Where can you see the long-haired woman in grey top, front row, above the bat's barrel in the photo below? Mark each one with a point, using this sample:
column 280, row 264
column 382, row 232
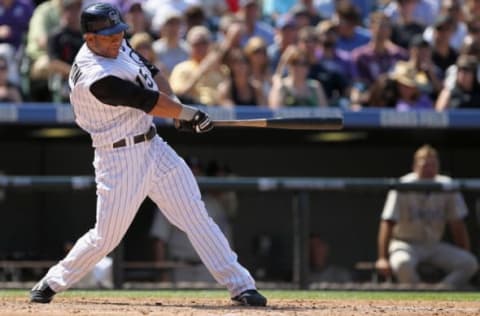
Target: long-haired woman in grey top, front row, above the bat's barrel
column 296, row 89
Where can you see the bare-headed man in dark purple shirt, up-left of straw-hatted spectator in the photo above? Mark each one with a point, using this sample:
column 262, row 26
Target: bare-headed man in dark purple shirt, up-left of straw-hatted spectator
column 375, row 58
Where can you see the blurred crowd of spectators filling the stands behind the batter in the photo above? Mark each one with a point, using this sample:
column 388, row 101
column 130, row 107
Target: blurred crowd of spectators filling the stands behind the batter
column 401, row 54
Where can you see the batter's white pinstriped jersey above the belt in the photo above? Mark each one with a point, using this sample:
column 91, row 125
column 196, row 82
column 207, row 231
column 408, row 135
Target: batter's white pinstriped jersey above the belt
column 105, row 123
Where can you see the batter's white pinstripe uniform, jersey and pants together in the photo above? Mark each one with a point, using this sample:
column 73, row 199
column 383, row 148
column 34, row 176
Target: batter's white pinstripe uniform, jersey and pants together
column 126, row 176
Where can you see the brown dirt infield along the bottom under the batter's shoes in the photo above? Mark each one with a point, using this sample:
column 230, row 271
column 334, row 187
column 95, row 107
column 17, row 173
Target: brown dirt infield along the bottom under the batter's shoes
column 202, row 307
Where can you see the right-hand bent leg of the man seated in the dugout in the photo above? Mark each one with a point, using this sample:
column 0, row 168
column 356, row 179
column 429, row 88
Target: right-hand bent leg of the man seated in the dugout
column 459, row 264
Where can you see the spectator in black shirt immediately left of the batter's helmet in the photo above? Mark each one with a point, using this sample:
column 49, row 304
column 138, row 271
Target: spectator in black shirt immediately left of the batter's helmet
column 63, row 44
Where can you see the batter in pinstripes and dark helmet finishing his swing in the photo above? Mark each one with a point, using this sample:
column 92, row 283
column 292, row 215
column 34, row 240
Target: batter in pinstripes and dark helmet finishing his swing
column 115, row 94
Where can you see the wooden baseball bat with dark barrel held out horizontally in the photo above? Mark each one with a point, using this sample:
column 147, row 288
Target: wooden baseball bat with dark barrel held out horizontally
column 304, row 123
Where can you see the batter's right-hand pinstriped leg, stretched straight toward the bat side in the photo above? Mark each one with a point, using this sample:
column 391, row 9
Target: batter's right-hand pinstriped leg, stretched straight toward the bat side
column 176, row 193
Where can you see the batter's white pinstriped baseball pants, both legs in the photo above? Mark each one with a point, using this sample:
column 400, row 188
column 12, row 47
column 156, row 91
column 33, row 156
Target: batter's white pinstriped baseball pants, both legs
column 125, row 177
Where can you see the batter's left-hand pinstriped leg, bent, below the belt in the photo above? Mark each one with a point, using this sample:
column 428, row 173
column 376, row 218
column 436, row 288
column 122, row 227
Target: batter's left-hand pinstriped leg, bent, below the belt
column 120, row 176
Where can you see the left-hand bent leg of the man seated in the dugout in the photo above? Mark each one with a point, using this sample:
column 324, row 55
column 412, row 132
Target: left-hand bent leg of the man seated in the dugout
column 403, row 261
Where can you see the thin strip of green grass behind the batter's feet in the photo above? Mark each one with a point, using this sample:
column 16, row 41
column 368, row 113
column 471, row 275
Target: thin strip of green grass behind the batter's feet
column 271, row 294
